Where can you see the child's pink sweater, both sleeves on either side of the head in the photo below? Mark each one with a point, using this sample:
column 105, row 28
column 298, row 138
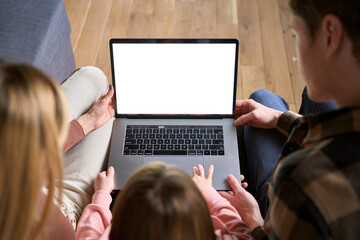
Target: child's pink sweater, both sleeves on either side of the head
column 95, row 220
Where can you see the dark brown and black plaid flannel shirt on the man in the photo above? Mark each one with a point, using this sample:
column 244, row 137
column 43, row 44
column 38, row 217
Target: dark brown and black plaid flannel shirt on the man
column 315, row 188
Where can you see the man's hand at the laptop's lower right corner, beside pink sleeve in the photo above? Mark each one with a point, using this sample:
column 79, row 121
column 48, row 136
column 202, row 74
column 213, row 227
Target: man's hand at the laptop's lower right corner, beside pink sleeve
column 244, row 203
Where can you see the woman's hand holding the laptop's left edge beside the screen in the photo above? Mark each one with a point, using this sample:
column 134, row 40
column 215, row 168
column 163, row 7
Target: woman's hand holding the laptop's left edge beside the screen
column 101, row 112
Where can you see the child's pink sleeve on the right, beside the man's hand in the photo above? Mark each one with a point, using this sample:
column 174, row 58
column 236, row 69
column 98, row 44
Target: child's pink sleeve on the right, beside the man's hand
column 226, row 220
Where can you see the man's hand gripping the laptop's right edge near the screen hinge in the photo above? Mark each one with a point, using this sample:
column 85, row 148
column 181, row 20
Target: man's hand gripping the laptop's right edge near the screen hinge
column 253, row 114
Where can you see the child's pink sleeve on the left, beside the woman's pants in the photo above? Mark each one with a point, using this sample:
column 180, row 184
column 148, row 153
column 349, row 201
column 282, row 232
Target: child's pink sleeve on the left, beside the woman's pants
column 96, row 217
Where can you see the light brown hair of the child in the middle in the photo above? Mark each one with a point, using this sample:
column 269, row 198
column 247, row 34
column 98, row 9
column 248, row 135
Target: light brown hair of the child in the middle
column 161, row 202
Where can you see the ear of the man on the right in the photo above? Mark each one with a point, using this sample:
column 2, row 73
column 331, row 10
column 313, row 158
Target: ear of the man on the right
column 334, row 32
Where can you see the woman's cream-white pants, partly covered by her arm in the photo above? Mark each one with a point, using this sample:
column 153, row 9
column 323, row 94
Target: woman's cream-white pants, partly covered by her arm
column 84, row 161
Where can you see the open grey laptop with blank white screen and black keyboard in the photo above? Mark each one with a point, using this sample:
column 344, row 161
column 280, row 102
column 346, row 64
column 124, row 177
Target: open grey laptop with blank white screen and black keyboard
column 174, row 102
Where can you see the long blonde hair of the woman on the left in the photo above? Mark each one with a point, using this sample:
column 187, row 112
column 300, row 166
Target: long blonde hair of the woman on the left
column 33, row 126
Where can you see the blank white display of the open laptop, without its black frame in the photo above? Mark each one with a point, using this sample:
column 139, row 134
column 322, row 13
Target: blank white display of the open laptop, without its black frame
column 174, row 78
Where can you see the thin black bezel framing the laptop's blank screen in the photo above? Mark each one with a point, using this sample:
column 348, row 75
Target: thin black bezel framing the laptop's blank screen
column 181, row 41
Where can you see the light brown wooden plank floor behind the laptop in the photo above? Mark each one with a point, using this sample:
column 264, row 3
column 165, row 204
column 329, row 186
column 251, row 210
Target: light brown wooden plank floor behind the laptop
column 262, row 27
